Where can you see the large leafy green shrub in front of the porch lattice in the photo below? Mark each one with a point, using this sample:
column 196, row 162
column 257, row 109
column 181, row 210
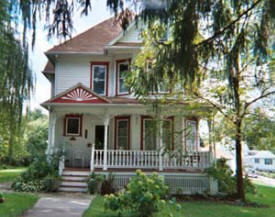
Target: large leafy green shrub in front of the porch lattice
column 143, row 195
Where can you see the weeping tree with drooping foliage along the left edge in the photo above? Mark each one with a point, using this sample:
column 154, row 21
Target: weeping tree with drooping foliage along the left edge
column 15, row 79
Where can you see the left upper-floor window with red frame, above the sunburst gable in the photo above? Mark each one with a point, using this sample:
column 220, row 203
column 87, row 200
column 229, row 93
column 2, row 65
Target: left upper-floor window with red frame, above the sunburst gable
column 99, row 78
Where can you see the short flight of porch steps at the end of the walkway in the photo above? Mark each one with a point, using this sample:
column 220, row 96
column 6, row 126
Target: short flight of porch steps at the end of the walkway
column 74, row 181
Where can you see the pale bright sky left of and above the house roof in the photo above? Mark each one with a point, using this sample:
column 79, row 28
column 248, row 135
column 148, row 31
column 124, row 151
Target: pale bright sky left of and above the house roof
column 38, row 59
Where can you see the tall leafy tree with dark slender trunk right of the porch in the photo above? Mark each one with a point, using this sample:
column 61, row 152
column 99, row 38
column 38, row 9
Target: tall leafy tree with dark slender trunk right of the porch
column 233, row 63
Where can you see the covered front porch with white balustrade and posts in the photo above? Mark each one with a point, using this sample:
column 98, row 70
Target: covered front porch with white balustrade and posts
column 116, row 140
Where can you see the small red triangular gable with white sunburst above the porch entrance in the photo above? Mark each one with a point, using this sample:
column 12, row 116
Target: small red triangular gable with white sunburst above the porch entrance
column 77, row 94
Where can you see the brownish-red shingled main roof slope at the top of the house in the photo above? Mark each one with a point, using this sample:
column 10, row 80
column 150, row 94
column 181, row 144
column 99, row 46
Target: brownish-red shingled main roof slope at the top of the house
column 91, row 41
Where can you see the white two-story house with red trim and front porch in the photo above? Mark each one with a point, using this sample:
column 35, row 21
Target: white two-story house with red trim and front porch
column 103, row 127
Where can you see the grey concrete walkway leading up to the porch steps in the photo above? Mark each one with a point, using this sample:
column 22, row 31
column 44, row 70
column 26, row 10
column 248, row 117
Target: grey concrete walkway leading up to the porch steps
column 60, row 205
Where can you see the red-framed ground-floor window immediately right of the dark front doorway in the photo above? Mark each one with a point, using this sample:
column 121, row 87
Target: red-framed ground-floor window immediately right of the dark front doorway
column 122, row 134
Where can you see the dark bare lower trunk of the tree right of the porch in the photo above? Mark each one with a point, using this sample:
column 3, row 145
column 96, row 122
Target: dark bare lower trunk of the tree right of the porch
column 239, row 166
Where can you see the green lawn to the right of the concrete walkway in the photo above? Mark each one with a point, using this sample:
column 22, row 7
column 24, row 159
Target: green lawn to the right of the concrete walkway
column 266, row 196
